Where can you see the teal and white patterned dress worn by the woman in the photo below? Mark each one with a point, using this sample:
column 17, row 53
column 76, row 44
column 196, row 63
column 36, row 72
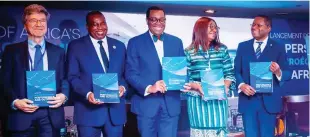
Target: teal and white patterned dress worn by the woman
column 208, row 118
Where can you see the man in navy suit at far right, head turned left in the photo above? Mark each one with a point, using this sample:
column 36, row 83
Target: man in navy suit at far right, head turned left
column 259, row 110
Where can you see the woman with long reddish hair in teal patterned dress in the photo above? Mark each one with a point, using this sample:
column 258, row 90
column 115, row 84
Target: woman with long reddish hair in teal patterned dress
column 208, row 118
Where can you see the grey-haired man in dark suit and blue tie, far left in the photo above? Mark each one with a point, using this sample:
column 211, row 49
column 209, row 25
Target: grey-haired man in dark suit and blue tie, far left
column 34, row 54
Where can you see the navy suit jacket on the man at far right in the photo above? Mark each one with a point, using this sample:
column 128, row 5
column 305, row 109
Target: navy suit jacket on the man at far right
column 246, row 54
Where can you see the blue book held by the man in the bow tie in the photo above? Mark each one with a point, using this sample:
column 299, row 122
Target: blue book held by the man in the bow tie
column 174, row 72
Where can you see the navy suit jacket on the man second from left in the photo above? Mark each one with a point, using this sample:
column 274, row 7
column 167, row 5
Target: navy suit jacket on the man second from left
column 82, row 62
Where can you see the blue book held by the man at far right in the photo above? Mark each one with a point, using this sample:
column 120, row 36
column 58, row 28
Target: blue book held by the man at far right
column 261, row 77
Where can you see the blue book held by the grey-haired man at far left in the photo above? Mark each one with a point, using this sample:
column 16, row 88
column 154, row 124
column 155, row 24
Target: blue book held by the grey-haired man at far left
column 41, row 85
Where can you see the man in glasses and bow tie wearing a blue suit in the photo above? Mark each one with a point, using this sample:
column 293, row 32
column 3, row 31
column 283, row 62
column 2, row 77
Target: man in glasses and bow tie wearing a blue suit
column 157, row 109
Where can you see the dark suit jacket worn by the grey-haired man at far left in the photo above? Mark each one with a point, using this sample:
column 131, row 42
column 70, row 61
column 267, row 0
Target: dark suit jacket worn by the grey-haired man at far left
column 14, row 67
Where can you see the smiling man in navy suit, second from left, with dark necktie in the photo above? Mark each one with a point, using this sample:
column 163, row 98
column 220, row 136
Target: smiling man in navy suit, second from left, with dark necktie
column 96, row 53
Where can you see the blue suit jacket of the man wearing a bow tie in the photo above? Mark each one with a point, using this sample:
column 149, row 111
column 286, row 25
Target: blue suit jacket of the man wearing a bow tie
column 144, row 68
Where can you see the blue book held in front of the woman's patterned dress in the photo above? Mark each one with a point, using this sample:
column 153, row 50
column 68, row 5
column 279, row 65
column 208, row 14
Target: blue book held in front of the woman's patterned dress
column 212, row 82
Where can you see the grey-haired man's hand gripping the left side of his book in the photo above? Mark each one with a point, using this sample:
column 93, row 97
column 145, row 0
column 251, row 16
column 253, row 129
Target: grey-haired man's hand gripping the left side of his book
column 25, row 105
